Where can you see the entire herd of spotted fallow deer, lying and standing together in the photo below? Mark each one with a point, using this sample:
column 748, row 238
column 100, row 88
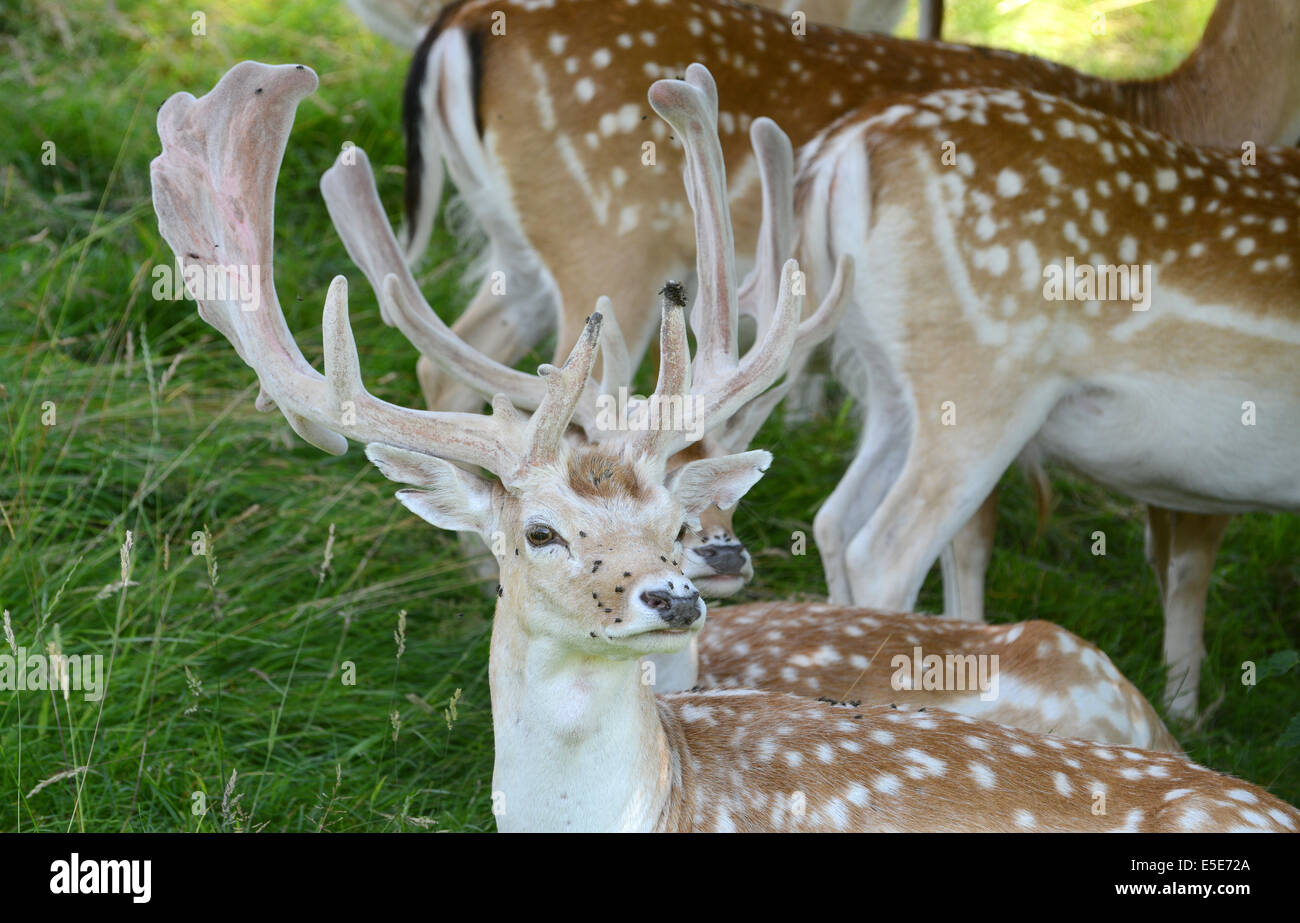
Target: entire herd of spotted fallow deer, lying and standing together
column 928, row 192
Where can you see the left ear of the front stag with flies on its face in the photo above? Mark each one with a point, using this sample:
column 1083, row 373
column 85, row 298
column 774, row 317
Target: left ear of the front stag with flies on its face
column 453, row 499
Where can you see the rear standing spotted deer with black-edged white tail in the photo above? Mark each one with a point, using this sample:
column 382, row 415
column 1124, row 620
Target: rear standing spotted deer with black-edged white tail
column 586, row 63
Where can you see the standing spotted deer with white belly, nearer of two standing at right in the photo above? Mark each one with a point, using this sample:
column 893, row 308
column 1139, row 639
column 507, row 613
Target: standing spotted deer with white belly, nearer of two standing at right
column 1169, row 376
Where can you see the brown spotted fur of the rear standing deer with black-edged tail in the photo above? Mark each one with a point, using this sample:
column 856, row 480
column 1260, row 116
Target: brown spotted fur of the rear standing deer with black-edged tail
column 837, row 72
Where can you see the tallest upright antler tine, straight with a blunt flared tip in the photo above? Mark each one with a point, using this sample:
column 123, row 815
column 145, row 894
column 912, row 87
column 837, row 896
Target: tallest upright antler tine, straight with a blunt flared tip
column 691, row 109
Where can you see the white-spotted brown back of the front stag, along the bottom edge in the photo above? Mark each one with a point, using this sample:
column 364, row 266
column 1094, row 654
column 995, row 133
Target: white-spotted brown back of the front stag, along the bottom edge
column 748, row 762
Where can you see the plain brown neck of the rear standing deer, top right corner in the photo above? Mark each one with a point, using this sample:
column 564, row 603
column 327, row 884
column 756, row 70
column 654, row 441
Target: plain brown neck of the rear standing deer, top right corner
column 1227, row 92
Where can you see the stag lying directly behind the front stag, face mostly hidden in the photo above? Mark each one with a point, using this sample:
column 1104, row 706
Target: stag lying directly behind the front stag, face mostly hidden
column 801, row 649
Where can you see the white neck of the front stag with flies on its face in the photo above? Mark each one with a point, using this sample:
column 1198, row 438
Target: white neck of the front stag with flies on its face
column 579, row 743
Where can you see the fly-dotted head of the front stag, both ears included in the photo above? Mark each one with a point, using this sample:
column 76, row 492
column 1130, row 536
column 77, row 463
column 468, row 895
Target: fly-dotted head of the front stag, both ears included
column 588, row 536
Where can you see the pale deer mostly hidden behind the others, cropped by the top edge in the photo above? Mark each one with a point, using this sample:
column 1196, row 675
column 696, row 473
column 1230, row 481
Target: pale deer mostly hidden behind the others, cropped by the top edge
column 405, row 21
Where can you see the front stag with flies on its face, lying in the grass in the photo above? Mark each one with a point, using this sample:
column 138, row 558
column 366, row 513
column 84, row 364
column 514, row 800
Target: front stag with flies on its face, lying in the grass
column 580, row 743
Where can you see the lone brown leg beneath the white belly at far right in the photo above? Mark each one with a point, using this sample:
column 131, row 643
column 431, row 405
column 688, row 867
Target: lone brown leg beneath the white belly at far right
column 1194, row 541
